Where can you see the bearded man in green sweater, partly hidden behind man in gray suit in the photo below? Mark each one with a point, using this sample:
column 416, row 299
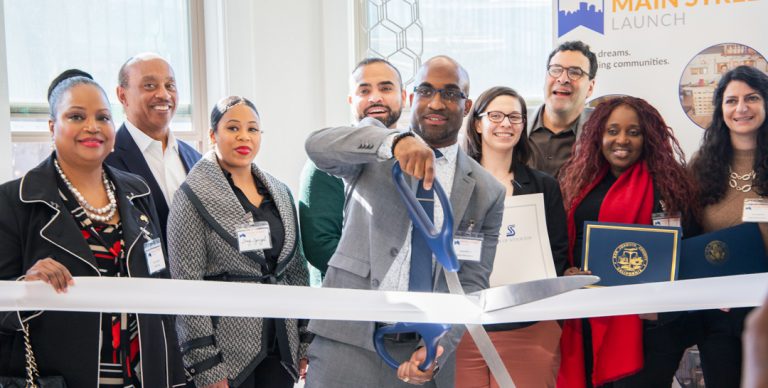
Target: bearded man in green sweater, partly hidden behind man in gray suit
column 376, row 90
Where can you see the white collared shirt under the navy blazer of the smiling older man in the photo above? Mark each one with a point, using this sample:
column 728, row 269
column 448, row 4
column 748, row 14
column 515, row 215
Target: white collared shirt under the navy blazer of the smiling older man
column 166, row 167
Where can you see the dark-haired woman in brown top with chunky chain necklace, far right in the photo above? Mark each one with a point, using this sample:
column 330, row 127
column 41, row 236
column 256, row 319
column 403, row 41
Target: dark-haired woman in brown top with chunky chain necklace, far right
column 732, row 164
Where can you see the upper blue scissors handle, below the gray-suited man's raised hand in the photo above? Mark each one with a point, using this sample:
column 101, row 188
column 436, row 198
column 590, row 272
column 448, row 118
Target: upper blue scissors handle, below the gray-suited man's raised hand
column 441, row 242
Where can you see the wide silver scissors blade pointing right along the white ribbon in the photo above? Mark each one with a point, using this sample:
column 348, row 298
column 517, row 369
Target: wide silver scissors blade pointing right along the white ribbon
column 511, row 295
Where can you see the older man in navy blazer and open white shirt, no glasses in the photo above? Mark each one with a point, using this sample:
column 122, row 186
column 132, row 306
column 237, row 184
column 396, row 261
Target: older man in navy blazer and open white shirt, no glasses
column 144, row 144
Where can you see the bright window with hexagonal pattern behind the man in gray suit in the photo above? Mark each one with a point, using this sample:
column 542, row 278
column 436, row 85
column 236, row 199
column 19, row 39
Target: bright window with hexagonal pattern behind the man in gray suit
column 499, row 42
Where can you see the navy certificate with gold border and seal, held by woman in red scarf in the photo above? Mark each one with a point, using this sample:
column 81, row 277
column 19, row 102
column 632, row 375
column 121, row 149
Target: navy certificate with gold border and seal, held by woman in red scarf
column 631, row 254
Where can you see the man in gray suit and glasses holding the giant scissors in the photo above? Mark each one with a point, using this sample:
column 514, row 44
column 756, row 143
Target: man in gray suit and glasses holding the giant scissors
column 375, row 247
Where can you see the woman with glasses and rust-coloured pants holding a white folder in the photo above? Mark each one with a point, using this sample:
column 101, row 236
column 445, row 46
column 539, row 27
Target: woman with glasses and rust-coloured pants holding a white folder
column 496, row 138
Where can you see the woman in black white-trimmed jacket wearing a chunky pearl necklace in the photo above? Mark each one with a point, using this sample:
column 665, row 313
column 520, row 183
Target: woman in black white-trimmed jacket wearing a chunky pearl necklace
column 74, row 216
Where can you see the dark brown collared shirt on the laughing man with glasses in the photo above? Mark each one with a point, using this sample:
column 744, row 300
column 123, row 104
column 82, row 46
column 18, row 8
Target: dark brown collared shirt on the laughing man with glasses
column 549, row 150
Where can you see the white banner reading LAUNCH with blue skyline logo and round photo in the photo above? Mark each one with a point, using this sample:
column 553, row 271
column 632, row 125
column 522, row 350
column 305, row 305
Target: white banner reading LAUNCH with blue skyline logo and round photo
column 670, row 52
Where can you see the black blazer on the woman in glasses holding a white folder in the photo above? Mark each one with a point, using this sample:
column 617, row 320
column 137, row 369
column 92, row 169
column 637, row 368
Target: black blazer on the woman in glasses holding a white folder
column 530, row 181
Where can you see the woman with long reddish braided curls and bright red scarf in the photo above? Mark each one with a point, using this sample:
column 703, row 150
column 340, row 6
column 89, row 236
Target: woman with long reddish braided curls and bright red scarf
column 626, row 166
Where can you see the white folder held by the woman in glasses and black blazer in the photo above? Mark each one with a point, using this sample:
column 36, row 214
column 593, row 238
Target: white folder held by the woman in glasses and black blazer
column 523, row 253
